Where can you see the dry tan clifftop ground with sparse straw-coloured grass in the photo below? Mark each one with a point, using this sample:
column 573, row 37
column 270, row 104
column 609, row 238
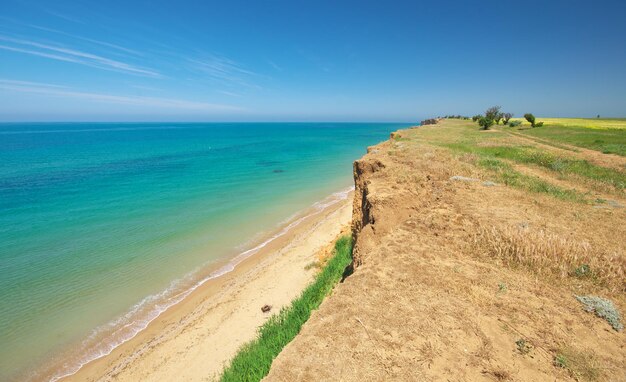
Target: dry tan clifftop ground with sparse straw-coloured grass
column 424, row 305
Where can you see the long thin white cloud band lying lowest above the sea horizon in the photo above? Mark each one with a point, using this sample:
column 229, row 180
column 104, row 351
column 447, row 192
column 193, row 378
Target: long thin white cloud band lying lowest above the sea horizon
column 61, row 91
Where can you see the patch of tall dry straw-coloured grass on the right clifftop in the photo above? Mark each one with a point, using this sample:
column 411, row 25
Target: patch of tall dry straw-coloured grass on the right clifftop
column 551, row 255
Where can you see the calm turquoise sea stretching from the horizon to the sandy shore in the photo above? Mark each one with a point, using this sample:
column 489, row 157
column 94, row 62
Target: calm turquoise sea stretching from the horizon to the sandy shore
column 103, row 225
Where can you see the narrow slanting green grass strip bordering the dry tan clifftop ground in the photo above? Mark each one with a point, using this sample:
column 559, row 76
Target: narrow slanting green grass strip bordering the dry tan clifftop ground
column 505, row 173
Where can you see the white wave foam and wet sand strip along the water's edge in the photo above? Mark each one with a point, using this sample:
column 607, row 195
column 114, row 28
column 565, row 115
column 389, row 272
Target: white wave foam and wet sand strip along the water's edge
column 127, row 326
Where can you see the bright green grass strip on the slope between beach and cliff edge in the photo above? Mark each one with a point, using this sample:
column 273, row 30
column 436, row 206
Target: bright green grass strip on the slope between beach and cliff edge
column 253, row 361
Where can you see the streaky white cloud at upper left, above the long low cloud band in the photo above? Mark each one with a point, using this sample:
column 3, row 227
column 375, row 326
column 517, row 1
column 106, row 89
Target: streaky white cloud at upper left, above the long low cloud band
column 61, row 53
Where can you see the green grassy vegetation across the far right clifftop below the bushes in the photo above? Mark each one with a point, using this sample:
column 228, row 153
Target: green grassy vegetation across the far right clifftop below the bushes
column 495, row 152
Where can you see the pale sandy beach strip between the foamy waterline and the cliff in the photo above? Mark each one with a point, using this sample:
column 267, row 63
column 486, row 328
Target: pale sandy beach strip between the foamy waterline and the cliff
column 193, row 340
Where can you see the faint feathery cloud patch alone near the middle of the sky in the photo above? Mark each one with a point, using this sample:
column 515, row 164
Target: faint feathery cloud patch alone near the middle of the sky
column 224, row 70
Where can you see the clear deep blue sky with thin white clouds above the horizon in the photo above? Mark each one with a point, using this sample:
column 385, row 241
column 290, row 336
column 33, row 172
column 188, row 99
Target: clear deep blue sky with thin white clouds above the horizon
column 308, row 60
